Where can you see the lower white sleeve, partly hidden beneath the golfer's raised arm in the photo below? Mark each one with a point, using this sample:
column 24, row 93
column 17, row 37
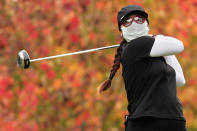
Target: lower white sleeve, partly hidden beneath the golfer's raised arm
column 173, row 62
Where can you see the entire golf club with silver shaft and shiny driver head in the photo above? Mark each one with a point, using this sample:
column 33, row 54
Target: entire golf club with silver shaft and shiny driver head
column 23, row 59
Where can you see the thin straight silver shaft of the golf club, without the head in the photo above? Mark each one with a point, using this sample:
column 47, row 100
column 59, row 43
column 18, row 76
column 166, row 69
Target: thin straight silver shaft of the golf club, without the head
column 74, row 53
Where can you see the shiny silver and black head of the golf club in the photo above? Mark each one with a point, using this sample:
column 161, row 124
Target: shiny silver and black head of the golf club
column 23, row 60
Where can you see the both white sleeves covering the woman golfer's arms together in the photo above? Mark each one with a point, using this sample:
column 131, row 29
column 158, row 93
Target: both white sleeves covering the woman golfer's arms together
column 168, row 46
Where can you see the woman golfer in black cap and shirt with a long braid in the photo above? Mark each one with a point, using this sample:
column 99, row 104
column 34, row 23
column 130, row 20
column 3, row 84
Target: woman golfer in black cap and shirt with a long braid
column 151, row 74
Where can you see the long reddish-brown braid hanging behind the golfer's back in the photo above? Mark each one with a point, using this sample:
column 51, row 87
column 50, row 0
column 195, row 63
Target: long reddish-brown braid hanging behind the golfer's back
column 106, row 84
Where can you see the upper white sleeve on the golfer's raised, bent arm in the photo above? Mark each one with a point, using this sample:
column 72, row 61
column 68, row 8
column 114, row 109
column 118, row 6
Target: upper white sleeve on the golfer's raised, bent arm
column 165, row 45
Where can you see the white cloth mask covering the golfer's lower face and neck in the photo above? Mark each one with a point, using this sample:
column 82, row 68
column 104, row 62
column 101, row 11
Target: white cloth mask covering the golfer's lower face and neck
column 134, row 31
